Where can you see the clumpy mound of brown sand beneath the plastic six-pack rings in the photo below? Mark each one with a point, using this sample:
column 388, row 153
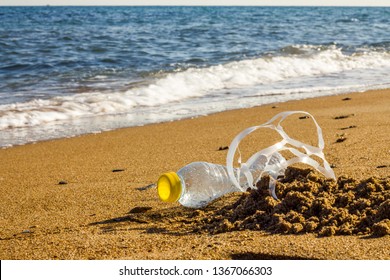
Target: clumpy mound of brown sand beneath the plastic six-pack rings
column 309, row 203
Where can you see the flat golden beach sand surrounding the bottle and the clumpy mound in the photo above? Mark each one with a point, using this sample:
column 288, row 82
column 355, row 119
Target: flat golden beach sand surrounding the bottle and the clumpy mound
column 79, row 198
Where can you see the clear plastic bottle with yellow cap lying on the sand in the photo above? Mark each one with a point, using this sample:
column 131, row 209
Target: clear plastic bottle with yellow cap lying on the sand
column 198, row 183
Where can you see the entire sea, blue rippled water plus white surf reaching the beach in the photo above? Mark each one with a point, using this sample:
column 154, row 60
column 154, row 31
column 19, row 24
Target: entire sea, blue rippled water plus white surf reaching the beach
column 67, row 71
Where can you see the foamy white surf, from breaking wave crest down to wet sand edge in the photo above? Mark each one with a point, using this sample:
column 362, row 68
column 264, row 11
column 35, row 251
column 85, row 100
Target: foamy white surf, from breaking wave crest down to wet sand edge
column 297, row 72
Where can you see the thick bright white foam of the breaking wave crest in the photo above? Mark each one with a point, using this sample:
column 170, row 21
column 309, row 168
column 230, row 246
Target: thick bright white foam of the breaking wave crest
column 262, row 74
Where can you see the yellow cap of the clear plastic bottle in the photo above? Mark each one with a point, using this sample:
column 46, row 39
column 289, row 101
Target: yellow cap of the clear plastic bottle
column 169, row 187
